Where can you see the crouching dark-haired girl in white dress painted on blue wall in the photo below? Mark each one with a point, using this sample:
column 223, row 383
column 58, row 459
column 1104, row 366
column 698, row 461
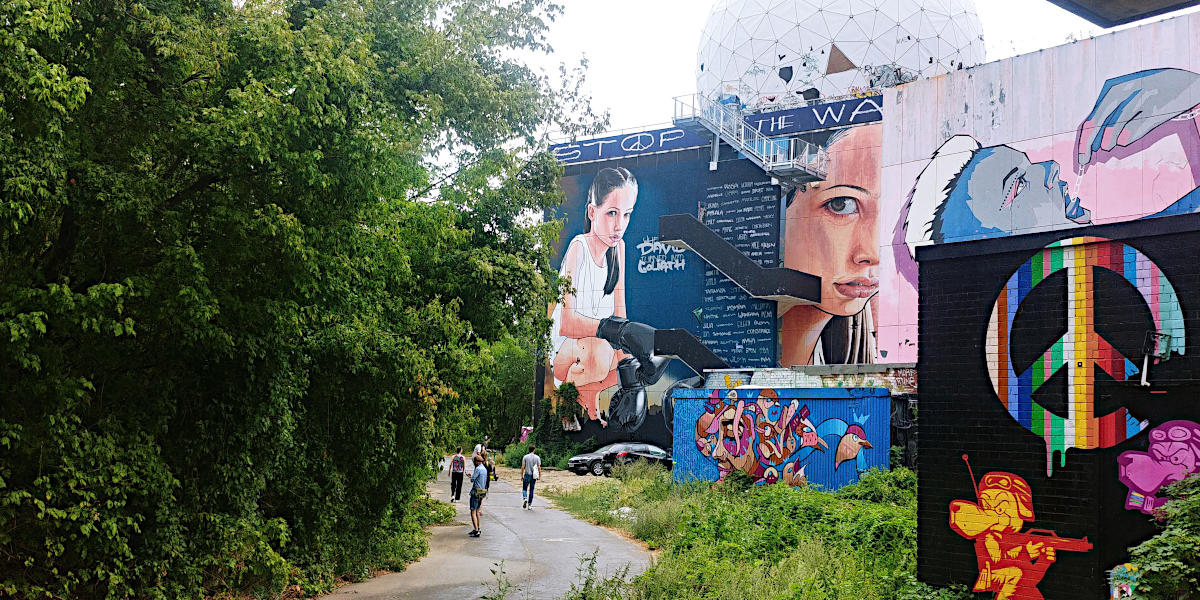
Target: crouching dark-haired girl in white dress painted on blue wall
column 593, row 266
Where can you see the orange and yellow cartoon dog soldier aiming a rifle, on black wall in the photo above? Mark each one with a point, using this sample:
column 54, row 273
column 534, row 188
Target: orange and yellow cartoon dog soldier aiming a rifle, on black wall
column 1012, row 563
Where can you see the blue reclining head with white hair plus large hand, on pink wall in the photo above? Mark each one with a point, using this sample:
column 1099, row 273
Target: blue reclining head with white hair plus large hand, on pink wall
column 969, row 191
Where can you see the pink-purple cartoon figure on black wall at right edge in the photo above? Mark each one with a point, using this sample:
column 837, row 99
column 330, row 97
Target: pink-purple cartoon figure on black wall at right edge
column 1174, row 454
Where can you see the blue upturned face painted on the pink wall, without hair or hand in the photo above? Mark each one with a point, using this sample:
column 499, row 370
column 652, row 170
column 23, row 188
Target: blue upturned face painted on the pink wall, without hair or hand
column 1006, row 191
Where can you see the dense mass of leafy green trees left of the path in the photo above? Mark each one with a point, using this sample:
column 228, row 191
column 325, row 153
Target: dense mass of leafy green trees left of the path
column 241, row 305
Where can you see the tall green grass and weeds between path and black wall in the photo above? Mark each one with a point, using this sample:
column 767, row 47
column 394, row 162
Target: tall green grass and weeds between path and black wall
column 737, row 542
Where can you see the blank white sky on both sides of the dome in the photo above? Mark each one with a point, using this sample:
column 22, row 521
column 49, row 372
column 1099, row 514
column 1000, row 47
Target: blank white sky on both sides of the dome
column 643, row 53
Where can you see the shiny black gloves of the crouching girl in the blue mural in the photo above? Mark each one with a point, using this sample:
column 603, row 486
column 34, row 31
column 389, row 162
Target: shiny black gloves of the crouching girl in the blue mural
column 637, row 373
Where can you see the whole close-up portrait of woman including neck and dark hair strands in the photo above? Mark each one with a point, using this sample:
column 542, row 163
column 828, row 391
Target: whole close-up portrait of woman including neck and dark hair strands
column 832, row 231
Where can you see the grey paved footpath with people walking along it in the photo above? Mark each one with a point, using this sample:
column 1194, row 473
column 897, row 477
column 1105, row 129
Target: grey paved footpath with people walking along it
column 541, row 550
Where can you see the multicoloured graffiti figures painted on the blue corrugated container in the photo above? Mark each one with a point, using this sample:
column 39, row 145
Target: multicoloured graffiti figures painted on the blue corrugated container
column 770, row 439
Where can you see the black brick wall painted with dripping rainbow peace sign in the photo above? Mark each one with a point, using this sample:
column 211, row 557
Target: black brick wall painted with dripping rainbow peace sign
column 967, row 347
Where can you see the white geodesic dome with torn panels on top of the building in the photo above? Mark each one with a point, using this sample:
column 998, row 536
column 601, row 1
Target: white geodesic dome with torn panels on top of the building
column 769, row 52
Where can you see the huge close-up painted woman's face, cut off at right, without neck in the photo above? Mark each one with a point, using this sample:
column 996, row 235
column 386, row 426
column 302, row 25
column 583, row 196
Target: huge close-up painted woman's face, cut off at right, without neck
column 832, row 227
